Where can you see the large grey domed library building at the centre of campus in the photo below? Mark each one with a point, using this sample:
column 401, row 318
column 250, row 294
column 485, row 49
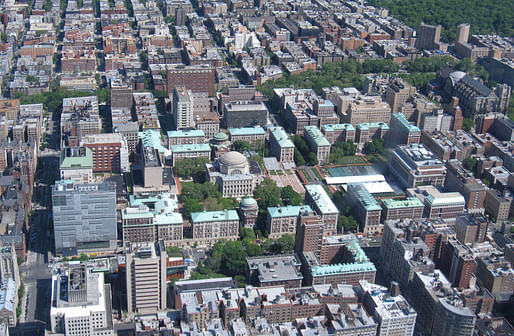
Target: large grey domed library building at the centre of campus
column 231, row 172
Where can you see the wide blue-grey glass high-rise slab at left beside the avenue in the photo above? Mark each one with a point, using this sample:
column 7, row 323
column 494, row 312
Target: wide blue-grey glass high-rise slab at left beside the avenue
column 84, row 216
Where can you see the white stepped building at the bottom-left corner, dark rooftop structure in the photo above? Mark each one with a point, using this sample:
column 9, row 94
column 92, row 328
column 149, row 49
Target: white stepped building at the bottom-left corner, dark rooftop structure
column 81, row 302
